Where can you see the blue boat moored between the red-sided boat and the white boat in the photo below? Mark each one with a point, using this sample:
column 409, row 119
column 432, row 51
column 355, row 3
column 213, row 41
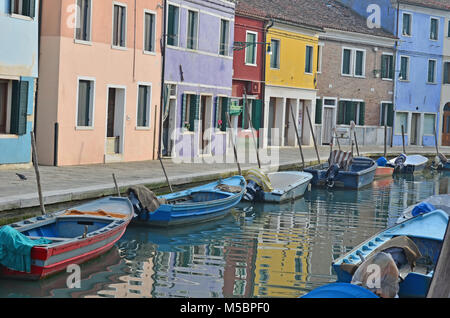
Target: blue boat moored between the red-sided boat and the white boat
column 200, row 204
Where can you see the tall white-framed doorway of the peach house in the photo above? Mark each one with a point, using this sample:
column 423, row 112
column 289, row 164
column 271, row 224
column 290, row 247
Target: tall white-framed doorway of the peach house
column 115, row 121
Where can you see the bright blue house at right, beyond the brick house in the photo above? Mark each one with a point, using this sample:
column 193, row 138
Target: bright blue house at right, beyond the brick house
column 419, row 25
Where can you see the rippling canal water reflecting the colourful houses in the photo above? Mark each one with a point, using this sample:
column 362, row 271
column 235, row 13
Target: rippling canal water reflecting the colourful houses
column 257, row 251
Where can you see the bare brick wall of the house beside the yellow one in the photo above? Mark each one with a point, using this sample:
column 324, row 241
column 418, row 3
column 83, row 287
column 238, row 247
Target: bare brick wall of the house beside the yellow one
column 370, row 89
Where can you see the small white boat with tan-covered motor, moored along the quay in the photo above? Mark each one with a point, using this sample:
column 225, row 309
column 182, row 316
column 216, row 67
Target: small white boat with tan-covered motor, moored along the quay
column 276, row 187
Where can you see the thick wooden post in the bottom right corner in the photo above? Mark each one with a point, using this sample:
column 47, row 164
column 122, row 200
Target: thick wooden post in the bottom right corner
column 440, row 284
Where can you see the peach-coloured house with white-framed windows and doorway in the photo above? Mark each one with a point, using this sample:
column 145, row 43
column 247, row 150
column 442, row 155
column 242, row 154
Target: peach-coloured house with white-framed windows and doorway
column 100, row 82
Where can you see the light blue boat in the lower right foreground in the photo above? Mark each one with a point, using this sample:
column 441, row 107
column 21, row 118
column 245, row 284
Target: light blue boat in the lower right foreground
column 424, row 233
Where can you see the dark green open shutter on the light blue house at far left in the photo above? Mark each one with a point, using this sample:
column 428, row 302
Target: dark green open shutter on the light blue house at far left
column 19, row 108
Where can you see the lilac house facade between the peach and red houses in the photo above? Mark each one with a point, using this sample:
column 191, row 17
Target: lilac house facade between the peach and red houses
column 198, row 77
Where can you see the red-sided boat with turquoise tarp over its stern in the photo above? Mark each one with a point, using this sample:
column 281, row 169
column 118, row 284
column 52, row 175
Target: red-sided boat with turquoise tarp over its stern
column 45, row 245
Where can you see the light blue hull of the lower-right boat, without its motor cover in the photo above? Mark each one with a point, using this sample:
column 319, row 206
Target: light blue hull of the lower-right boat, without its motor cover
column 426, row 231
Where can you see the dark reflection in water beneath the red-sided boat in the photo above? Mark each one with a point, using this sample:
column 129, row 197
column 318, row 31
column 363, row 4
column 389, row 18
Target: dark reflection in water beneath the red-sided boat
column 98, row 272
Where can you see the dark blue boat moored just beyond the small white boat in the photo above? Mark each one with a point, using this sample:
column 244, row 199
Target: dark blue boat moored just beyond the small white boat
column 359, row 173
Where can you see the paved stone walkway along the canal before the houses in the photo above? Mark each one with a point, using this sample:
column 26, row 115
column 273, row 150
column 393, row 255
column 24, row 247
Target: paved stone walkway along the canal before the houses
column 65, row 184
